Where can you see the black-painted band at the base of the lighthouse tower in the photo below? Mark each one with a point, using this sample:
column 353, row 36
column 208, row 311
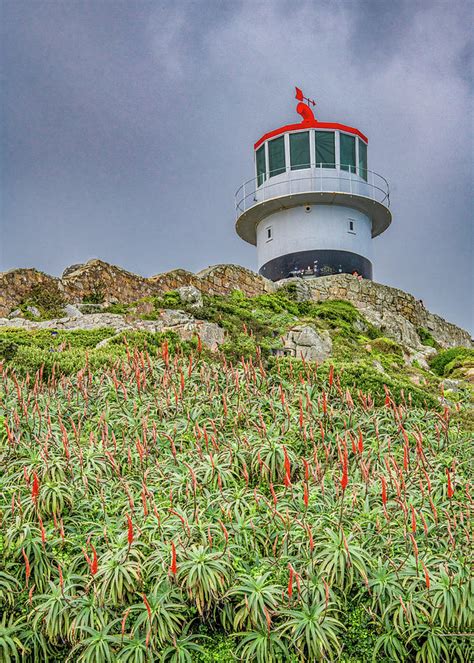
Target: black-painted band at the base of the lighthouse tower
column 318, row 262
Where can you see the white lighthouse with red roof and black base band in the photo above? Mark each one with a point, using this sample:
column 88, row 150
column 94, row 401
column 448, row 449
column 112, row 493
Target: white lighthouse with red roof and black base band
column 313, row 205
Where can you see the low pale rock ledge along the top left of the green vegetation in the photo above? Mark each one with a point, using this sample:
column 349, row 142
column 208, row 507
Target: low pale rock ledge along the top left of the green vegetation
column 184, row 325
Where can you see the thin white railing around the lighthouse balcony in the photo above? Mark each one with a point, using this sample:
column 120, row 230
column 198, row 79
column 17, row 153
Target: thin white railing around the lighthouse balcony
column 309, row 180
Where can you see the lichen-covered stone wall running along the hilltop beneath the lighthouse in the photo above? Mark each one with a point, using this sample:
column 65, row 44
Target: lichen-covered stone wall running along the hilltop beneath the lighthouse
column 399, row 315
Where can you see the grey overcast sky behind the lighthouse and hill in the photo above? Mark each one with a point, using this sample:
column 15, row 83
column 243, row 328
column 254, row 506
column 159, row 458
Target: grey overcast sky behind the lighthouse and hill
column 127, row 126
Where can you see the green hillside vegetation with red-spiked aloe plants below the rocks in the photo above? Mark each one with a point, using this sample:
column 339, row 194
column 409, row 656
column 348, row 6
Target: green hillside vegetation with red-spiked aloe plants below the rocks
column 162, row 503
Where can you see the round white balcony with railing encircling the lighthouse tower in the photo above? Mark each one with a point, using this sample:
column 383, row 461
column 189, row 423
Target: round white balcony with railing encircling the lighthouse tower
column 257, row 199
